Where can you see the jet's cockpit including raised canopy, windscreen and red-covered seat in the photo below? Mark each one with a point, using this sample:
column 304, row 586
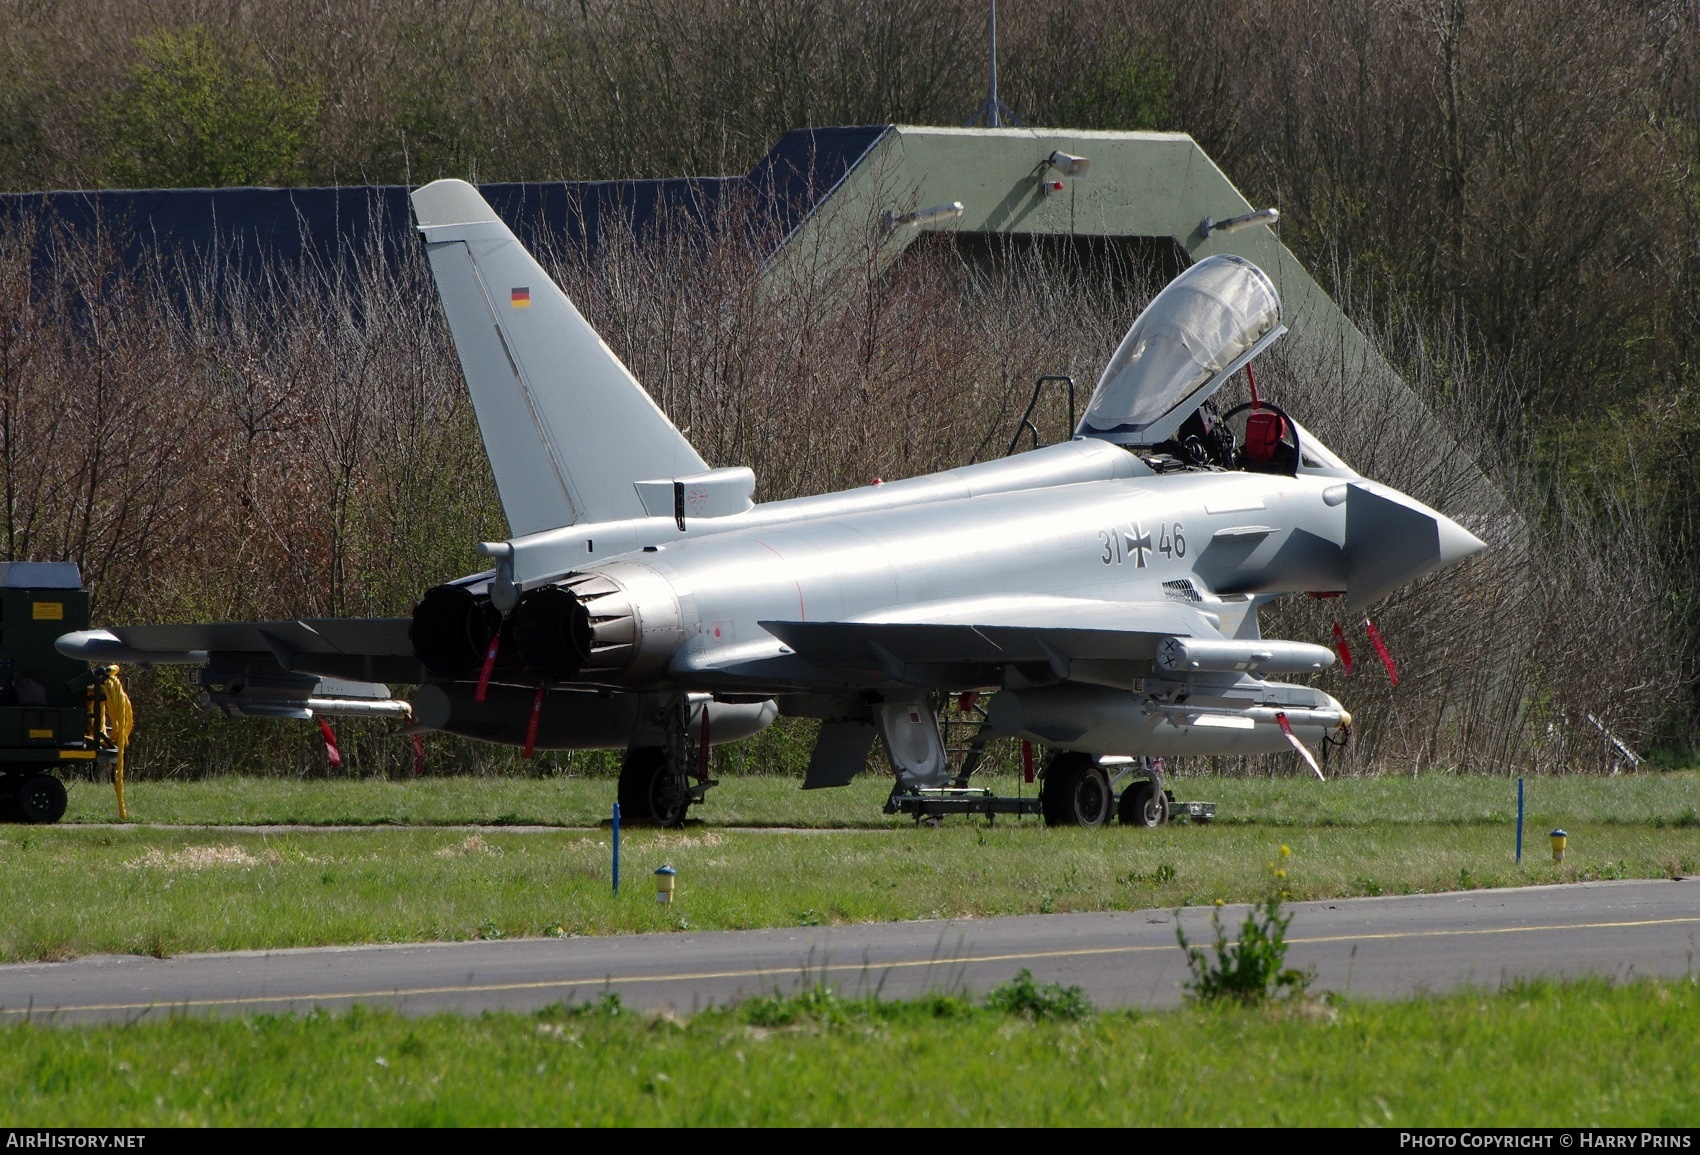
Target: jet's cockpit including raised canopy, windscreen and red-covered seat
column 1157, row 394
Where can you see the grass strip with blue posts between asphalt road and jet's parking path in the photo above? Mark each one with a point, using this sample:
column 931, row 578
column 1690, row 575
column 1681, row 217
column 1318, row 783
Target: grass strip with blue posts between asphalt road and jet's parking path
column 67, row 890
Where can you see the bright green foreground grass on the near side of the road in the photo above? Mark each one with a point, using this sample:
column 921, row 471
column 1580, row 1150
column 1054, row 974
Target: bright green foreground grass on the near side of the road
column 1533, row 1055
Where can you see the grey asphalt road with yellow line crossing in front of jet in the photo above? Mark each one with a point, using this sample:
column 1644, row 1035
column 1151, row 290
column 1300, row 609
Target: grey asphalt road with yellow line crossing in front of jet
column 1361, row 947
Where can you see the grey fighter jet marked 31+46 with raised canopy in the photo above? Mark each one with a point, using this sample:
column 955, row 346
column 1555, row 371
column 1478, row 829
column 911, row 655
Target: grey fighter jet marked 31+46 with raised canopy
column 1104, row 589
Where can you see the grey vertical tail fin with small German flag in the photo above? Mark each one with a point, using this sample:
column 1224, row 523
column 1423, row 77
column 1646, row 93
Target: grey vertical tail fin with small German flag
column 567, row 426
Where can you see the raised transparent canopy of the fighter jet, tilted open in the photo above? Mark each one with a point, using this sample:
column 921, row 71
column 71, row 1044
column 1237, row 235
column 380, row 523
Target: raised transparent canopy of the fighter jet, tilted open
column 1186, row 344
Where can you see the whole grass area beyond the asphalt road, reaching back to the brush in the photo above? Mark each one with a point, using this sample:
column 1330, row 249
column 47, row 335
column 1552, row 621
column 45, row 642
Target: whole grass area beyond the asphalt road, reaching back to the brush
column 67, row 890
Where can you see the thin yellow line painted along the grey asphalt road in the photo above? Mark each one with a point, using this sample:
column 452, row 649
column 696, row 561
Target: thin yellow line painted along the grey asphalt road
column 689, row 977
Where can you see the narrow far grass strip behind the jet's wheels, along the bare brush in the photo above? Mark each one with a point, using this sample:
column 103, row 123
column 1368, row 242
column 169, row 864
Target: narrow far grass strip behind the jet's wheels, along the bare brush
column 1663, row 800
